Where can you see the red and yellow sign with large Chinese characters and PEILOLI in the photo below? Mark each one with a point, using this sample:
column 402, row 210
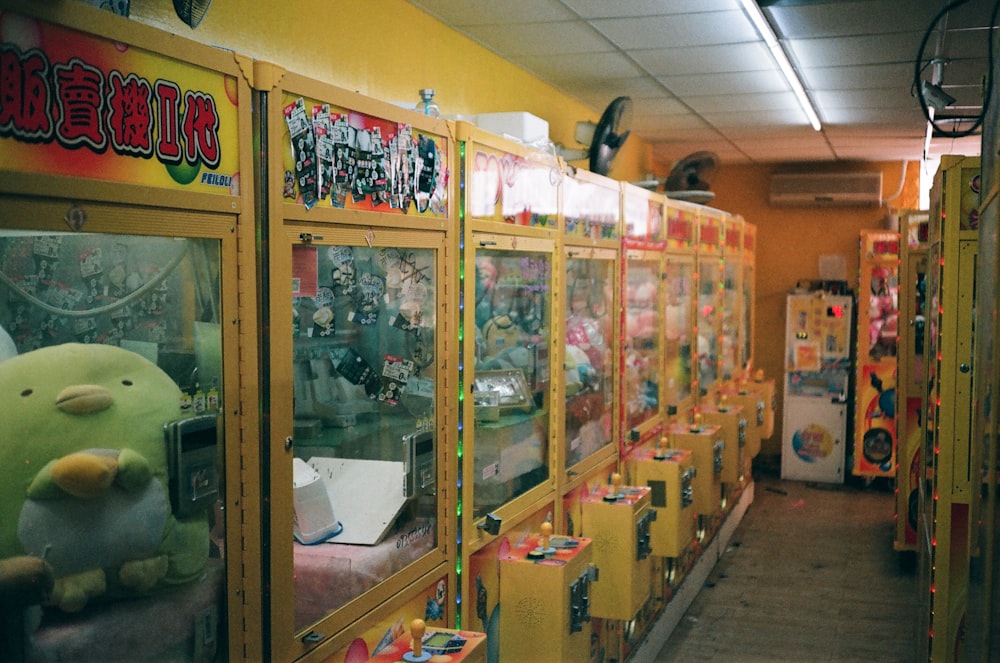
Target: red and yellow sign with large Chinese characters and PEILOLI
column 79, row 105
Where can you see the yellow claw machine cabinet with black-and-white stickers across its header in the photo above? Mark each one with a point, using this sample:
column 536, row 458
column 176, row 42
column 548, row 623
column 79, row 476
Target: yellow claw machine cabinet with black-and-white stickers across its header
column 359, row 268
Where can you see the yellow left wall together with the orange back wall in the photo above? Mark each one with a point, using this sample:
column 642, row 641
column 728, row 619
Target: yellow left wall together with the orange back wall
column 388, row 49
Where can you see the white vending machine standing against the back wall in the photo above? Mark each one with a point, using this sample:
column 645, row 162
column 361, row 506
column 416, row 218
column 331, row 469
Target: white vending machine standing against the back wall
column 818, row 351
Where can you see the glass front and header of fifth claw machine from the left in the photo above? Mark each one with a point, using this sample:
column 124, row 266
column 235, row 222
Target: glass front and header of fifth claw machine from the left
column 642, row 334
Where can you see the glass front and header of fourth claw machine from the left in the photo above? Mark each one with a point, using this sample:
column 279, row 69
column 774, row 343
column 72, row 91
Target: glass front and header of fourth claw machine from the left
column 591, row 242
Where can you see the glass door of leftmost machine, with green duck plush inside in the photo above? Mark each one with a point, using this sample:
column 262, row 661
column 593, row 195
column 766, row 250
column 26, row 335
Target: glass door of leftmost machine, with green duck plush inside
column 113, row 360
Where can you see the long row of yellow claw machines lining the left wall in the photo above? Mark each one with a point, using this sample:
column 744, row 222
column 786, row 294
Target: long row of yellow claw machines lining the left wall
column 302, row 375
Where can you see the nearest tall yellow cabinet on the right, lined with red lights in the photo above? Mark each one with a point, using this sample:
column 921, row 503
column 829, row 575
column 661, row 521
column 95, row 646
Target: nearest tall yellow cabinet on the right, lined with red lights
column 950, row 482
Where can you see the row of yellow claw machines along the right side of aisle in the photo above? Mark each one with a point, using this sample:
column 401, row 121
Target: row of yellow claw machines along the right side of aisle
column 945, row 485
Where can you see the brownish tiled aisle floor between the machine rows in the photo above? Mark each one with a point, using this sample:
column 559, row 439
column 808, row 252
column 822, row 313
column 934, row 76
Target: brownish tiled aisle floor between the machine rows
column 809, row 575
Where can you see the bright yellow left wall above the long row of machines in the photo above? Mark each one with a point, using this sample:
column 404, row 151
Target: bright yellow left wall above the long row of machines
column 389, row 50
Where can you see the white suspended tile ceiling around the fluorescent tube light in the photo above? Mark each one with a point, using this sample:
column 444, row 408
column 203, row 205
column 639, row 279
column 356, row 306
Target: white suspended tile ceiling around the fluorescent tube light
column 701, row 78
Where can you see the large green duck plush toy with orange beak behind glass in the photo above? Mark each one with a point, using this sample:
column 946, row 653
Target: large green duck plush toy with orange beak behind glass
column 85, row 478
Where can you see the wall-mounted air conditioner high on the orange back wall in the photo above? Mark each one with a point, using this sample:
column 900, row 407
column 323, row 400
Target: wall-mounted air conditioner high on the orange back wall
column 857, row 189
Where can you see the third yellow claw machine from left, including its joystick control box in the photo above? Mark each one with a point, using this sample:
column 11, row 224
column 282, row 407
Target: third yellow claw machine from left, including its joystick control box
column 524, row 581
